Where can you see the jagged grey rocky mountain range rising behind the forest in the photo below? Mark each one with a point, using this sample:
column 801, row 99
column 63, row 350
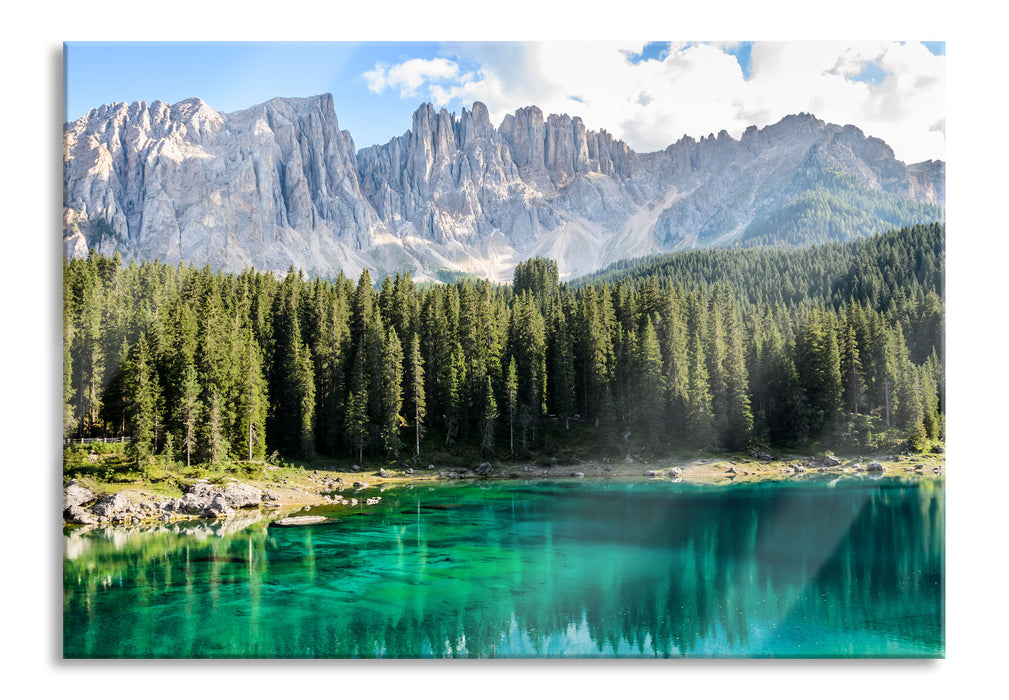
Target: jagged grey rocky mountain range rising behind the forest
column 281, row 185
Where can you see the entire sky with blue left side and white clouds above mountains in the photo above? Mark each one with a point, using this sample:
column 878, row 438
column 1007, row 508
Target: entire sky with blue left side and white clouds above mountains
column 648, row 93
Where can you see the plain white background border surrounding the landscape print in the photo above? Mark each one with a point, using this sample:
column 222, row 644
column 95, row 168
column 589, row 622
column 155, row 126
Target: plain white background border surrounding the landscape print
column 31, row 129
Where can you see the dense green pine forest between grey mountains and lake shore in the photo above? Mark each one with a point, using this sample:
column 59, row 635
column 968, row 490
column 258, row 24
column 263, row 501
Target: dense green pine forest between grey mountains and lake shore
column 838, row 346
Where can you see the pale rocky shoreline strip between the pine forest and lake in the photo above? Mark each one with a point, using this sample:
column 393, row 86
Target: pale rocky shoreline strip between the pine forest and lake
column 202, row 500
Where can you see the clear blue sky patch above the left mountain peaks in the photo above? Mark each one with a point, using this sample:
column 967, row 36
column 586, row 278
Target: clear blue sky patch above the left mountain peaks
column 234, row 76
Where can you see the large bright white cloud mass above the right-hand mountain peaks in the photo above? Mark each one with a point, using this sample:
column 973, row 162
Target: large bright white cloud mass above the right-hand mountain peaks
column 695, row 89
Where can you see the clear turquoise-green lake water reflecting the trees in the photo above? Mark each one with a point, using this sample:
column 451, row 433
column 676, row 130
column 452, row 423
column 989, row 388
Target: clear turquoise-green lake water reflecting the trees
column 529, row 570
